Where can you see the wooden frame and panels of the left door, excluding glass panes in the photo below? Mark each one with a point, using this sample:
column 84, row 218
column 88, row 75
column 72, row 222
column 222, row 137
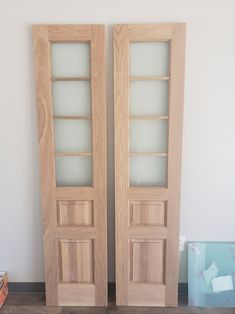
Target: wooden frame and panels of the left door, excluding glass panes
column 75, row 223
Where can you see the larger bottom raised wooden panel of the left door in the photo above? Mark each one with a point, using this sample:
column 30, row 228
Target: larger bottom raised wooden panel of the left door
column 76, row 260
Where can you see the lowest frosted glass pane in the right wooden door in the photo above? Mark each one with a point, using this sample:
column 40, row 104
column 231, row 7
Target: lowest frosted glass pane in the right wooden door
column 147, row 171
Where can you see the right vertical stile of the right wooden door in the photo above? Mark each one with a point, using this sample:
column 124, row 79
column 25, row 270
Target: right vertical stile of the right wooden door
column 176, row 98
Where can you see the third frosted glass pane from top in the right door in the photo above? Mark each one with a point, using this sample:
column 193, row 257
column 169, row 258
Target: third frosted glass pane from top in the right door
column 148, row 136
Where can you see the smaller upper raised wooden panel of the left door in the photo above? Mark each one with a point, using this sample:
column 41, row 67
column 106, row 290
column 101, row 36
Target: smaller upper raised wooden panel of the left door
column 75, row 213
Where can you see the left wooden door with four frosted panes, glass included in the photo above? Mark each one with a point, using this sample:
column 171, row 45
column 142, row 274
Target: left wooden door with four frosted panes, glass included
column 70, row 83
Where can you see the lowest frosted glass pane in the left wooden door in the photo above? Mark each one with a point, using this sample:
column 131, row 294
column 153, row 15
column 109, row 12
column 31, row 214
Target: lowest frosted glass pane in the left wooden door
column 73, row 171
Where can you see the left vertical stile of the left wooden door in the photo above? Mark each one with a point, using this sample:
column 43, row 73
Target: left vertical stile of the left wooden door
column 45, row 131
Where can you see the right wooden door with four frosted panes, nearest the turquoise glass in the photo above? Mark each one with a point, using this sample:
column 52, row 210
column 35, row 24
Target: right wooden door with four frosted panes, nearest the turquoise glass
column 148, row 95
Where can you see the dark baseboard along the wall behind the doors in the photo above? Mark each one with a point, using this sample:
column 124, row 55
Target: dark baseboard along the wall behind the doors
column 39, row 287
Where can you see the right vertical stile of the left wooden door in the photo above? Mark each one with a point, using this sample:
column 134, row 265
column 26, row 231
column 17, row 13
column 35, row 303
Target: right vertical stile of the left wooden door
column 98, row 92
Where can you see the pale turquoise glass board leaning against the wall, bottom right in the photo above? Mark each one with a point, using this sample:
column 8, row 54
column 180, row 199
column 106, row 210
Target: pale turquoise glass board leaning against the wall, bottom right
column 211, row 276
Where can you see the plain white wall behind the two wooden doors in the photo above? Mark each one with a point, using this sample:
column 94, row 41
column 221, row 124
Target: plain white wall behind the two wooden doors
column 208, row 170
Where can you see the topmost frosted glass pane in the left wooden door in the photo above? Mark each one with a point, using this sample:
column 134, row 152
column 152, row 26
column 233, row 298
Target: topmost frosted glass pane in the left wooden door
column 70, row 59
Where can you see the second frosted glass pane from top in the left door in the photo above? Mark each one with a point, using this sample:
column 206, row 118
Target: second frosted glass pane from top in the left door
column 71, row 98
